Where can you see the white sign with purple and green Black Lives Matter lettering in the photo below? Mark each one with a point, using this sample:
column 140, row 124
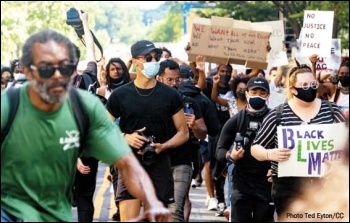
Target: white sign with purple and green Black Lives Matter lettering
column 311, row 147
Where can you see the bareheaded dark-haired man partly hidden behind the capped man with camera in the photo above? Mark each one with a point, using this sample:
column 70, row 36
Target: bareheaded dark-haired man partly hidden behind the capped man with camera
column 184, row 157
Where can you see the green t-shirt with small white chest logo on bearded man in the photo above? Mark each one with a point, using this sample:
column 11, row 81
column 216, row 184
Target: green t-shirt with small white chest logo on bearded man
column 39, row 155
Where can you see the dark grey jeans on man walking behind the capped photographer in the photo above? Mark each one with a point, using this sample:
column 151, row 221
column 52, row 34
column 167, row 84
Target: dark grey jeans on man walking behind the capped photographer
column 182, row 181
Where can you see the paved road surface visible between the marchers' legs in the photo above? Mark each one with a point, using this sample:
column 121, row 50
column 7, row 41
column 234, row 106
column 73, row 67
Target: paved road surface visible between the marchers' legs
column 105, row 207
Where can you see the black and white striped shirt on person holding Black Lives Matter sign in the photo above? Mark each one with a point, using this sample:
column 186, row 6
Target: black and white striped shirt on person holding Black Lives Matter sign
column 267, row 135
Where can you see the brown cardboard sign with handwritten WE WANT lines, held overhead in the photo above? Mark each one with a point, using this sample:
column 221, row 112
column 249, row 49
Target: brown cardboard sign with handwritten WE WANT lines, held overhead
column 224, row 40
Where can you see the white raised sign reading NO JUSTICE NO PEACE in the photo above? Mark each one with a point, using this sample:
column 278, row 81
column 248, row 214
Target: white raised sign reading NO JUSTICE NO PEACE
column 316, row 34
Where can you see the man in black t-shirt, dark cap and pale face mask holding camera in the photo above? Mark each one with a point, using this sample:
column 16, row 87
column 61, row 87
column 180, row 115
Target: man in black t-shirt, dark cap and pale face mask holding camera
column 148, row 108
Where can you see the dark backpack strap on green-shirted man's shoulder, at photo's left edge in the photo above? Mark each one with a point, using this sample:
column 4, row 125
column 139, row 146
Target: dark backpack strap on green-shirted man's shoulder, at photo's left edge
column 13, row 95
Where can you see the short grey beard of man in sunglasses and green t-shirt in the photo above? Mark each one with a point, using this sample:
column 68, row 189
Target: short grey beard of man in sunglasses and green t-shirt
column 44, row 90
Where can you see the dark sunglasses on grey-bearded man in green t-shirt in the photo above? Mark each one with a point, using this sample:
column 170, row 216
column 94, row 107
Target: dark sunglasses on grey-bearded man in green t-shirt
column 48, row 71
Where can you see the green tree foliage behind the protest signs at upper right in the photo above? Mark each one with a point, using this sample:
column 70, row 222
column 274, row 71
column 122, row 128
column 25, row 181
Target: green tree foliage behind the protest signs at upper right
column 293, row 12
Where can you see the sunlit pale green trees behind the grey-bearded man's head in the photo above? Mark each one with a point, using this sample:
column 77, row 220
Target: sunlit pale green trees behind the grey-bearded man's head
column 34, row 16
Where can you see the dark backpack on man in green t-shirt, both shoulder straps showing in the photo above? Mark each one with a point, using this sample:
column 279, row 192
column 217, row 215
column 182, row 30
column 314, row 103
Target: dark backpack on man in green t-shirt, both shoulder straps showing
column 79, row 111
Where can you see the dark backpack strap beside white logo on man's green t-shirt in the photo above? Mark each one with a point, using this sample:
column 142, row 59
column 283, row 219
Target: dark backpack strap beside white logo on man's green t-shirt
column 80, row 115
